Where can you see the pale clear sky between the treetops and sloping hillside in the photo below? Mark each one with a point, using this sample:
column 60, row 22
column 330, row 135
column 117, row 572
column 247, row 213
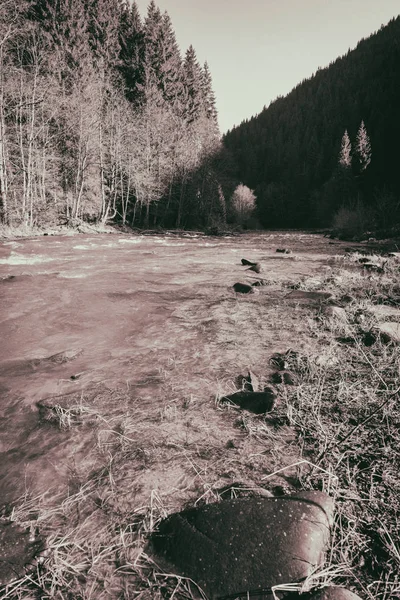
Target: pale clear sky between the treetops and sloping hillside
column 260, row 49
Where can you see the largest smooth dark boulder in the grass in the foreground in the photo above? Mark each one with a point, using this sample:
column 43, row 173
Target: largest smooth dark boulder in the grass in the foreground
column 246, row 544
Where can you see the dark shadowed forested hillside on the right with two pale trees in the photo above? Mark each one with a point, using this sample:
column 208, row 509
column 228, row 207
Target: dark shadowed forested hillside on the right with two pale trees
column 329, row 152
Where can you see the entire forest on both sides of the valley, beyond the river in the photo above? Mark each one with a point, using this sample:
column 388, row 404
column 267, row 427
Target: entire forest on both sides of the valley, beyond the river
column 103, row 119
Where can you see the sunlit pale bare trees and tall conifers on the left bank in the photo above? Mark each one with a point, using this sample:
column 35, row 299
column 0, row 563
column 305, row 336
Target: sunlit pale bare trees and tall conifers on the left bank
column 101, row 118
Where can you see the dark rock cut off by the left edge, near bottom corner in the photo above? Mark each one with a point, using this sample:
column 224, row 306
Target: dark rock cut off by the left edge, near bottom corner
column 18, row 549
